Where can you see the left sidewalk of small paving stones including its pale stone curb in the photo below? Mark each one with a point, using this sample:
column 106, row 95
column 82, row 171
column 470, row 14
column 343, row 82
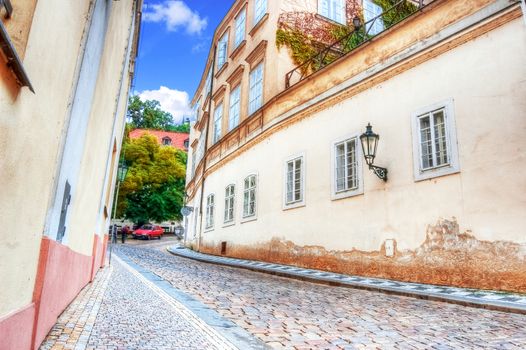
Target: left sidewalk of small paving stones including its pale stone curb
column 128, row 307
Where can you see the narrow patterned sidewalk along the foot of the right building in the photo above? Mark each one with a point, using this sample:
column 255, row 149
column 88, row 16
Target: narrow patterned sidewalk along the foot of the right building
column 493, row 300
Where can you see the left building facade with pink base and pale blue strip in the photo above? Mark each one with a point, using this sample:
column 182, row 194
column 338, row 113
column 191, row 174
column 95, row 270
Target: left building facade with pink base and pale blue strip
column 65, row 72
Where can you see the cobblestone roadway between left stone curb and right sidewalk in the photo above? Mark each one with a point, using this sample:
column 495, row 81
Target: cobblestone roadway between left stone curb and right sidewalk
column 287, row 313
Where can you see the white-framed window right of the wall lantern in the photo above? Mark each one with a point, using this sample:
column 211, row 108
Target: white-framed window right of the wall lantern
column 434, row 141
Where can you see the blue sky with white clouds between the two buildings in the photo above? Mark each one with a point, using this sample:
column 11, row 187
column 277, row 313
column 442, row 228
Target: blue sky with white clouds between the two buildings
column 173, row 48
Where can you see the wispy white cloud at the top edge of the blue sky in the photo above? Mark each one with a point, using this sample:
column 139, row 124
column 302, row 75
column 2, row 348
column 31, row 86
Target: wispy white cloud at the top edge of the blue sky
column 175, row 14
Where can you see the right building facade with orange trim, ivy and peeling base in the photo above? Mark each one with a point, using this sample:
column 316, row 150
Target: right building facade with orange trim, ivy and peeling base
column 276, row 170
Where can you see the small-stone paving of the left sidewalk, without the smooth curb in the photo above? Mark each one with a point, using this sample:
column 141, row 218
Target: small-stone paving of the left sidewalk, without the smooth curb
column 120, row 311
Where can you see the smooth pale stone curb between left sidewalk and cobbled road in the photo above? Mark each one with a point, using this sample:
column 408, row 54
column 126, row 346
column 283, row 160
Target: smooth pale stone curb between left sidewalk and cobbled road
column 233, row 333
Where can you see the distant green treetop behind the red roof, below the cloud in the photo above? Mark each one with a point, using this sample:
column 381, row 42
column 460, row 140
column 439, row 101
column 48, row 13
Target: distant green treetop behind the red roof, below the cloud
column 148, row 114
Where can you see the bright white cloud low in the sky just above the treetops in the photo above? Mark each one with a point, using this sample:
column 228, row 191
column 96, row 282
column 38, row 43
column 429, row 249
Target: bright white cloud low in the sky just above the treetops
column 173, row 101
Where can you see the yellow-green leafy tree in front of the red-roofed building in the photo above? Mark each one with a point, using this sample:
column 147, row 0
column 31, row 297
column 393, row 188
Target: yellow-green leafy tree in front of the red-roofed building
column 154, row 187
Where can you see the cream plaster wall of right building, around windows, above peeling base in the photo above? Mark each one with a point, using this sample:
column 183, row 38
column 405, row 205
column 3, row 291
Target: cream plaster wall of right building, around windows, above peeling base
column 484, row 77
